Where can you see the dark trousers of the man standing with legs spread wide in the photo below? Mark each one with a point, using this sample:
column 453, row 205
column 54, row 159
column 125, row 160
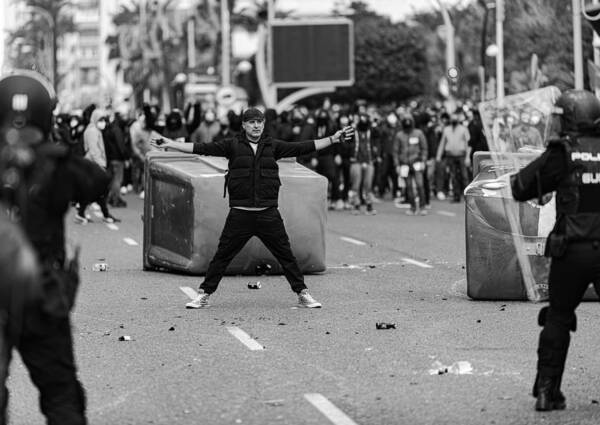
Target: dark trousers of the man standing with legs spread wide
column 240, row 226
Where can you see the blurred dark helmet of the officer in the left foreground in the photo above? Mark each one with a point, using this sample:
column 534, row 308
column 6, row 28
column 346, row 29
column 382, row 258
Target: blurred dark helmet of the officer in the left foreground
column 26, row 104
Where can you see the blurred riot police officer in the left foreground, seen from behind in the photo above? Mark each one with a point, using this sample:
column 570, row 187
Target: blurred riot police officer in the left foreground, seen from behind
column 39, row 180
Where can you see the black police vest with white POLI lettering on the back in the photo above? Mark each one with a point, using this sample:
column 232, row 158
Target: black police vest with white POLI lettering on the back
column 578, row 195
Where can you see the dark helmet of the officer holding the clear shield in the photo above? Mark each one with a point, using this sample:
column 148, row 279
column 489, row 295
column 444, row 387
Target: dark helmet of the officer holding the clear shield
column 579, row 111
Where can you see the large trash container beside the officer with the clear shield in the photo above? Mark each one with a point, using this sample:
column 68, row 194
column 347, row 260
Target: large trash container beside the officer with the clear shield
column 493, row 269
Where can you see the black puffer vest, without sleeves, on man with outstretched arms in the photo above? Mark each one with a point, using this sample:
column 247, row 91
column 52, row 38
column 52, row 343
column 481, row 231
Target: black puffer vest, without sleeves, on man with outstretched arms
column 253, row 180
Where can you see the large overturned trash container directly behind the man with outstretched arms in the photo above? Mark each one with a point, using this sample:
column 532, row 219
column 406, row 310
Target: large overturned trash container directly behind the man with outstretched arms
column 185, row 211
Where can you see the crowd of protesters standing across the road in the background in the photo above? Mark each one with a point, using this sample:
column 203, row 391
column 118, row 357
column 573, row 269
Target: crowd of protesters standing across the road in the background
column 403, row 153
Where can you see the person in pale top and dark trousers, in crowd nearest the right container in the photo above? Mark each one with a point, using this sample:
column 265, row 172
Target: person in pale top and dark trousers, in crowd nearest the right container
column 454, row 149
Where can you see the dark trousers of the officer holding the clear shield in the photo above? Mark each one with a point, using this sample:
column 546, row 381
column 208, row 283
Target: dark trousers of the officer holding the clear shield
column 570, row 275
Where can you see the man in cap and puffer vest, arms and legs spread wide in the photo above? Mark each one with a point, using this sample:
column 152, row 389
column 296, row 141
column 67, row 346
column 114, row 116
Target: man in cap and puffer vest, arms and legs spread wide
column 253, row 185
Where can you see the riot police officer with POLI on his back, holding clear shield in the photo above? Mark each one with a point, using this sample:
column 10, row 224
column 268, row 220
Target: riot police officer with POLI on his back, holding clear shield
column 571, row 167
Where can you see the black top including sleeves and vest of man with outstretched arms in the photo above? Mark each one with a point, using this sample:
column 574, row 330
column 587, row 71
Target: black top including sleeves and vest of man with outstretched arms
column 253, row 180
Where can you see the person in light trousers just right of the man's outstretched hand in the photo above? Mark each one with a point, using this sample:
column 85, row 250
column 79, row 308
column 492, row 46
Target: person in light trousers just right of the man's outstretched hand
column 362, row 168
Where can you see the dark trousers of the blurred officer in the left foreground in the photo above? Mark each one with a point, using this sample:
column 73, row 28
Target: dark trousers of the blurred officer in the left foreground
column 46, row 347
